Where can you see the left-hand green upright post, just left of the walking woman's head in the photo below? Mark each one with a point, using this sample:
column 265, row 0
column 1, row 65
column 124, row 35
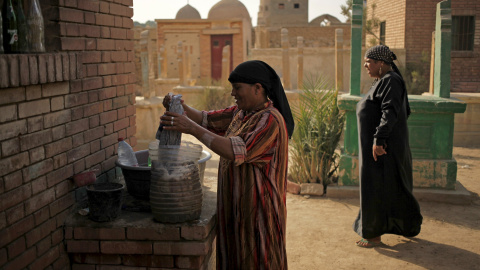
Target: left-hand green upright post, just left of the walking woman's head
column 356, row 51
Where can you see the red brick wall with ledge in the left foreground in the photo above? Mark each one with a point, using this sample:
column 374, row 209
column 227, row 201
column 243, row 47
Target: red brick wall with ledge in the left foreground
column 60, row 114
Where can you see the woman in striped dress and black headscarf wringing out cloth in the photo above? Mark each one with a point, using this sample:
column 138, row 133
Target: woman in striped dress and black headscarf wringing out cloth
column 251, row 138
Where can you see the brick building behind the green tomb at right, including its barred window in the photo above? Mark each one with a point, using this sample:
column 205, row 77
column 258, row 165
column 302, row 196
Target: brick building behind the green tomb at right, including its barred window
column 408, row 24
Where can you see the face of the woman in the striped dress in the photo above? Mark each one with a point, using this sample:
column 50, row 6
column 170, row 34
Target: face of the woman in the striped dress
column 247, row 96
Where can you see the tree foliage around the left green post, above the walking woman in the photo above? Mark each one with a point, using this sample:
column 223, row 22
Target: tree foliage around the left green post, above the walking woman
column 370, row 26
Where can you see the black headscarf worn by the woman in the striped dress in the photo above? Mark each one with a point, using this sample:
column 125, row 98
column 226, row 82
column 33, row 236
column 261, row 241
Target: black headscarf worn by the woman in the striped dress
column 256, row 71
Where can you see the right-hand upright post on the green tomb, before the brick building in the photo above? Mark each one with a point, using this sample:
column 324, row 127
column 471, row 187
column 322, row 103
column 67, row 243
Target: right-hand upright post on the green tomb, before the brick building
column 443, row 46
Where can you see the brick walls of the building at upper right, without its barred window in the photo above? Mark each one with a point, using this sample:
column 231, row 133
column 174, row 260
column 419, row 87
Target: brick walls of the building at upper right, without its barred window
column 416, row 22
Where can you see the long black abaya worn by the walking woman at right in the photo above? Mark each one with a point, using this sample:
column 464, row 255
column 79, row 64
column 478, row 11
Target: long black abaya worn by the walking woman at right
column 387, row 205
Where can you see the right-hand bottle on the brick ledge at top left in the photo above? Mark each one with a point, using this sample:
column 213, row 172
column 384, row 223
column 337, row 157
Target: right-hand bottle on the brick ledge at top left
column 36, row 29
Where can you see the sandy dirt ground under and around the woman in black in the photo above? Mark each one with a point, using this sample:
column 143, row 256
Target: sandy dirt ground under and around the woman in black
column 320, row 234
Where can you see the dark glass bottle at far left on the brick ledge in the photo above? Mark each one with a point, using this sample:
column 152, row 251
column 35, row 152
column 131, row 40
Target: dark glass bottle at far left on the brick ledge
column 10, row 30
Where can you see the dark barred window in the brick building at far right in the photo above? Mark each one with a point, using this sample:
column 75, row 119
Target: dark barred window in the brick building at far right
column 463, row 32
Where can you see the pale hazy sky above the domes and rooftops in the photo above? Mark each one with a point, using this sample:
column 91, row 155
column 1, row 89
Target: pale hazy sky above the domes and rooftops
column 145, row 10
